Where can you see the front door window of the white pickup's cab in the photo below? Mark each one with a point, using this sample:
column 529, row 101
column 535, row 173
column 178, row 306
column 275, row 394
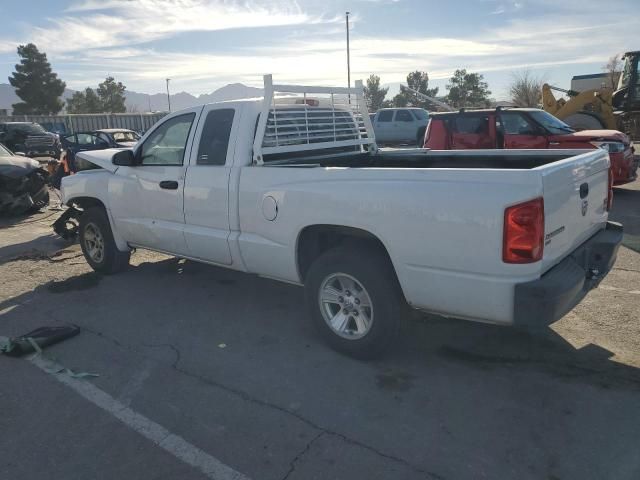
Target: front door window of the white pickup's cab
column 167, row 143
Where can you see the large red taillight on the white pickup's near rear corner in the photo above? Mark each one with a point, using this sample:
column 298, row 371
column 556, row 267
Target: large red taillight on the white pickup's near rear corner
column 523, row 240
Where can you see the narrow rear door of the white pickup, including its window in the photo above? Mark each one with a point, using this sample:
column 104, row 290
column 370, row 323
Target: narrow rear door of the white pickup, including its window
column 206, row 191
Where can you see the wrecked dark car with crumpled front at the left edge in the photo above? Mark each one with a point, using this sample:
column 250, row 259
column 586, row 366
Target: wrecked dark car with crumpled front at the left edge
column 23, row 184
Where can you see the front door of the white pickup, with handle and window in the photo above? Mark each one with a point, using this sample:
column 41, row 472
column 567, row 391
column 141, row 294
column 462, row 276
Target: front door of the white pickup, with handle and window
column 148, row 208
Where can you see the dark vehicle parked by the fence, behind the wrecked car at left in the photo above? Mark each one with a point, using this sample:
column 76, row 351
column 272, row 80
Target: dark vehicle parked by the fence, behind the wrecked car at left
column 29, row 138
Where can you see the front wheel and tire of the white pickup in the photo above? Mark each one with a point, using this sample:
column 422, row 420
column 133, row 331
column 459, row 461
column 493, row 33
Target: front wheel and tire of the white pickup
column 97, row 243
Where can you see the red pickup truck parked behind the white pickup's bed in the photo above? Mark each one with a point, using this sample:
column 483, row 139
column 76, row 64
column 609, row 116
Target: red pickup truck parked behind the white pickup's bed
column 526, row 128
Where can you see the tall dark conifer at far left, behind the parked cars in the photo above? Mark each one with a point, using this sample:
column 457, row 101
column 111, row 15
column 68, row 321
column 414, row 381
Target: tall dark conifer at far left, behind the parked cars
column 36, row 84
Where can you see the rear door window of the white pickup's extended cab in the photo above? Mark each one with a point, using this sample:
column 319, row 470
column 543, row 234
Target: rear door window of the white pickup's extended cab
column 215, row 137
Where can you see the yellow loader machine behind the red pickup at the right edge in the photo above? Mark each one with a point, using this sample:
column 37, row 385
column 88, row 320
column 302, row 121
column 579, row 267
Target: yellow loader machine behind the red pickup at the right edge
column 602, row 108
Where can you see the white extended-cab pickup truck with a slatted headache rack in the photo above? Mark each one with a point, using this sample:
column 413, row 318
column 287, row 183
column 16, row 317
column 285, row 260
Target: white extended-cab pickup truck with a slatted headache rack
column 294, row 188
